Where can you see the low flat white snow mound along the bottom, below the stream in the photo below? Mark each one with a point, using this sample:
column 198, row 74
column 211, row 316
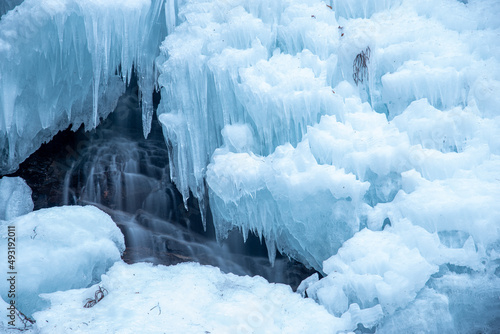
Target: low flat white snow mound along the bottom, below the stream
column 186, row 298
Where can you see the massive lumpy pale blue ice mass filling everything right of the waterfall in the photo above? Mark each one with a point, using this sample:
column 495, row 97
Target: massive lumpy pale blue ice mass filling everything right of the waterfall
column 309, row 123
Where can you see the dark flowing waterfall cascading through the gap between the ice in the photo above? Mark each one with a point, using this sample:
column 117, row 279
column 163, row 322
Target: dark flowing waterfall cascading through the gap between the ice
column 127, row 176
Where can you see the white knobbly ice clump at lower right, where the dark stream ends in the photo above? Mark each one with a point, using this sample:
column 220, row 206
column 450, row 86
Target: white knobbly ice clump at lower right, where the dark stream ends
column 372, row 266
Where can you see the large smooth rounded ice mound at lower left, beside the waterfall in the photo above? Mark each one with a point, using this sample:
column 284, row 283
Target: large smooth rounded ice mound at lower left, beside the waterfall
column 59, row 249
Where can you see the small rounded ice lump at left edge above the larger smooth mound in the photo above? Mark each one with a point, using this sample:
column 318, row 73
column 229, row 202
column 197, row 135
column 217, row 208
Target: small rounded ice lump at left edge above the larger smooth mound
column 15, row 198
